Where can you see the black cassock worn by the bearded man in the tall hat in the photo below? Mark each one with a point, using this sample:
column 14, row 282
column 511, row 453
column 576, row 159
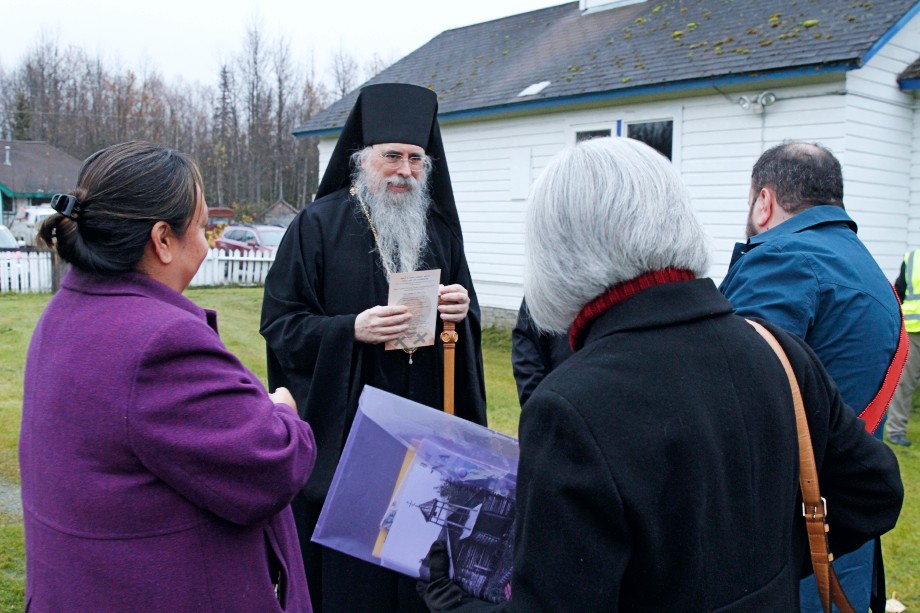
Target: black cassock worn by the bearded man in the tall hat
column 326, row 271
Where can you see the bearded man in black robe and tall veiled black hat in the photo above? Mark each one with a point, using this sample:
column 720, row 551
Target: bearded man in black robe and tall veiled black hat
column 385, row 205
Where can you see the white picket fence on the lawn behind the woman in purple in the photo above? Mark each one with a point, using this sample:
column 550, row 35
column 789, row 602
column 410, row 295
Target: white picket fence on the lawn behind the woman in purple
column 30, row 271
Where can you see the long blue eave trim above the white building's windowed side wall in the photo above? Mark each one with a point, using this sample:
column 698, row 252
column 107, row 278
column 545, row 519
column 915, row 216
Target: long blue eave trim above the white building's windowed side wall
column 646, row 90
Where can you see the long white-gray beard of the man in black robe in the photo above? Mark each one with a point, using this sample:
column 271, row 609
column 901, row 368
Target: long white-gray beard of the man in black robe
column 400, row 218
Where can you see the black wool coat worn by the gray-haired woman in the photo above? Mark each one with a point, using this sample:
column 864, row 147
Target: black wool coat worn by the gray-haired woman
column 659, row 467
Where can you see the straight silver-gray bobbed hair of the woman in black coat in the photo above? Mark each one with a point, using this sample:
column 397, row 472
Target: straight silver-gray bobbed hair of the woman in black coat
column 602, row 212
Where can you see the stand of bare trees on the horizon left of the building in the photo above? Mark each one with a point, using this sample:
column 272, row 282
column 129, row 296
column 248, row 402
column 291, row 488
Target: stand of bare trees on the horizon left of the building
column 239, row 131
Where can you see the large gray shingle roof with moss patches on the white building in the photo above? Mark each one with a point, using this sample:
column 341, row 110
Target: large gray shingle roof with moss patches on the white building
column 652, row 44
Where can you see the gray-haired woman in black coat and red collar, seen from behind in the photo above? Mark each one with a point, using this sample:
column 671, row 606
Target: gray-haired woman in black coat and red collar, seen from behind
column 659, row 466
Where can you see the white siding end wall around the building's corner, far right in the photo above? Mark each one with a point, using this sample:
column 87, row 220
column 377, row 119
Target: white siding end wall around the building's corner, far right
column 879, row 150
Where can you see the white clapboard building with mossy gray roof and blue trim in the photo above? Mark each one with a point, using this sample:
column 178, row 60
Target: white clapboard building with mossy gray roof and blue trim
column 714, row 82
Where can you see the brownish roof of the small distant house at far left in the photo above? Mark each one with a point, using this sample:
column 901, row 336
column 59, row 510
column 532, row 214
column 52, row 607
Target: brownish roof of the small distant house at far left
column 36, row 168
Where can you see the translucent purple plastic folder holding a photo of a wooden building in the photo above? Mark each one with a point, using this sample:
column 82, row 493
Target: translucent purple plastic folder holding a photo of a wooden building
column 429, row 476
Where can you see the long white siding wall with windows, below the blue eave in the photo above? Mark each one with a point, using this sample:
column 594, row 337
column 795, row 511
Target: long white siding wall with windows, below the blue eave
column 716, row 143
